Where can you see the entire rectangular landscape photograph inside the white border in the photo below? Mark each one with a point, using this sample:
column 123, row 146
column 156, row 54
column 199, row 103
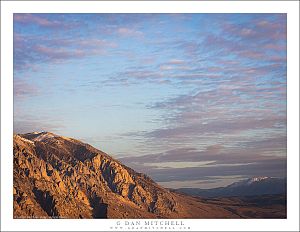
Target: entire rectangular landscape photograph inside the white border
column 140, row 116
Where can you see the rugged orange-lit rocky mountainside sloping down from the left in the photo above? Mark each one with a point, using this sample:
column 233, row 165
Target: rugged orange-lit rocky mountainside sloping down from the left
column 55, row 176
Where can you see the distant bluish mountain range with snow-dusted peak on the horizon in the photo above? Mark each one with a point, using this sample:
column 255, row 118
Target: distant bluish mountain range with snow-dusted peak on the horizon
column 250, row 187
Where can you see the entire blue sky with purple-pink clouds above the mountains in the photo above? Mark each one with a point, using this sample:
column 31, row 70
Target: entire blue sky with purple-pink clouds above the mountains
column 192, row 100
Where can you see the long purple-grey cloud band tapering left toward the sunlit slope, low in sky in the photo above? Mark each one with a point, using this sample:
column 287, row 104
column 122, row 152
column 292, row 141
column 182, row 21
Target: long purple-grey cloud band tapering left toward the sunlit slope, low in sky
column 218, row 153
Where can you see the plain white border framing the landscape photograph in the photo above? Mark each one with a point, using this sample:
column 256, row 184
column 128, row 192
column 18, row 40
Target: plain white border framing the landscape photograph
column 10, row 7
